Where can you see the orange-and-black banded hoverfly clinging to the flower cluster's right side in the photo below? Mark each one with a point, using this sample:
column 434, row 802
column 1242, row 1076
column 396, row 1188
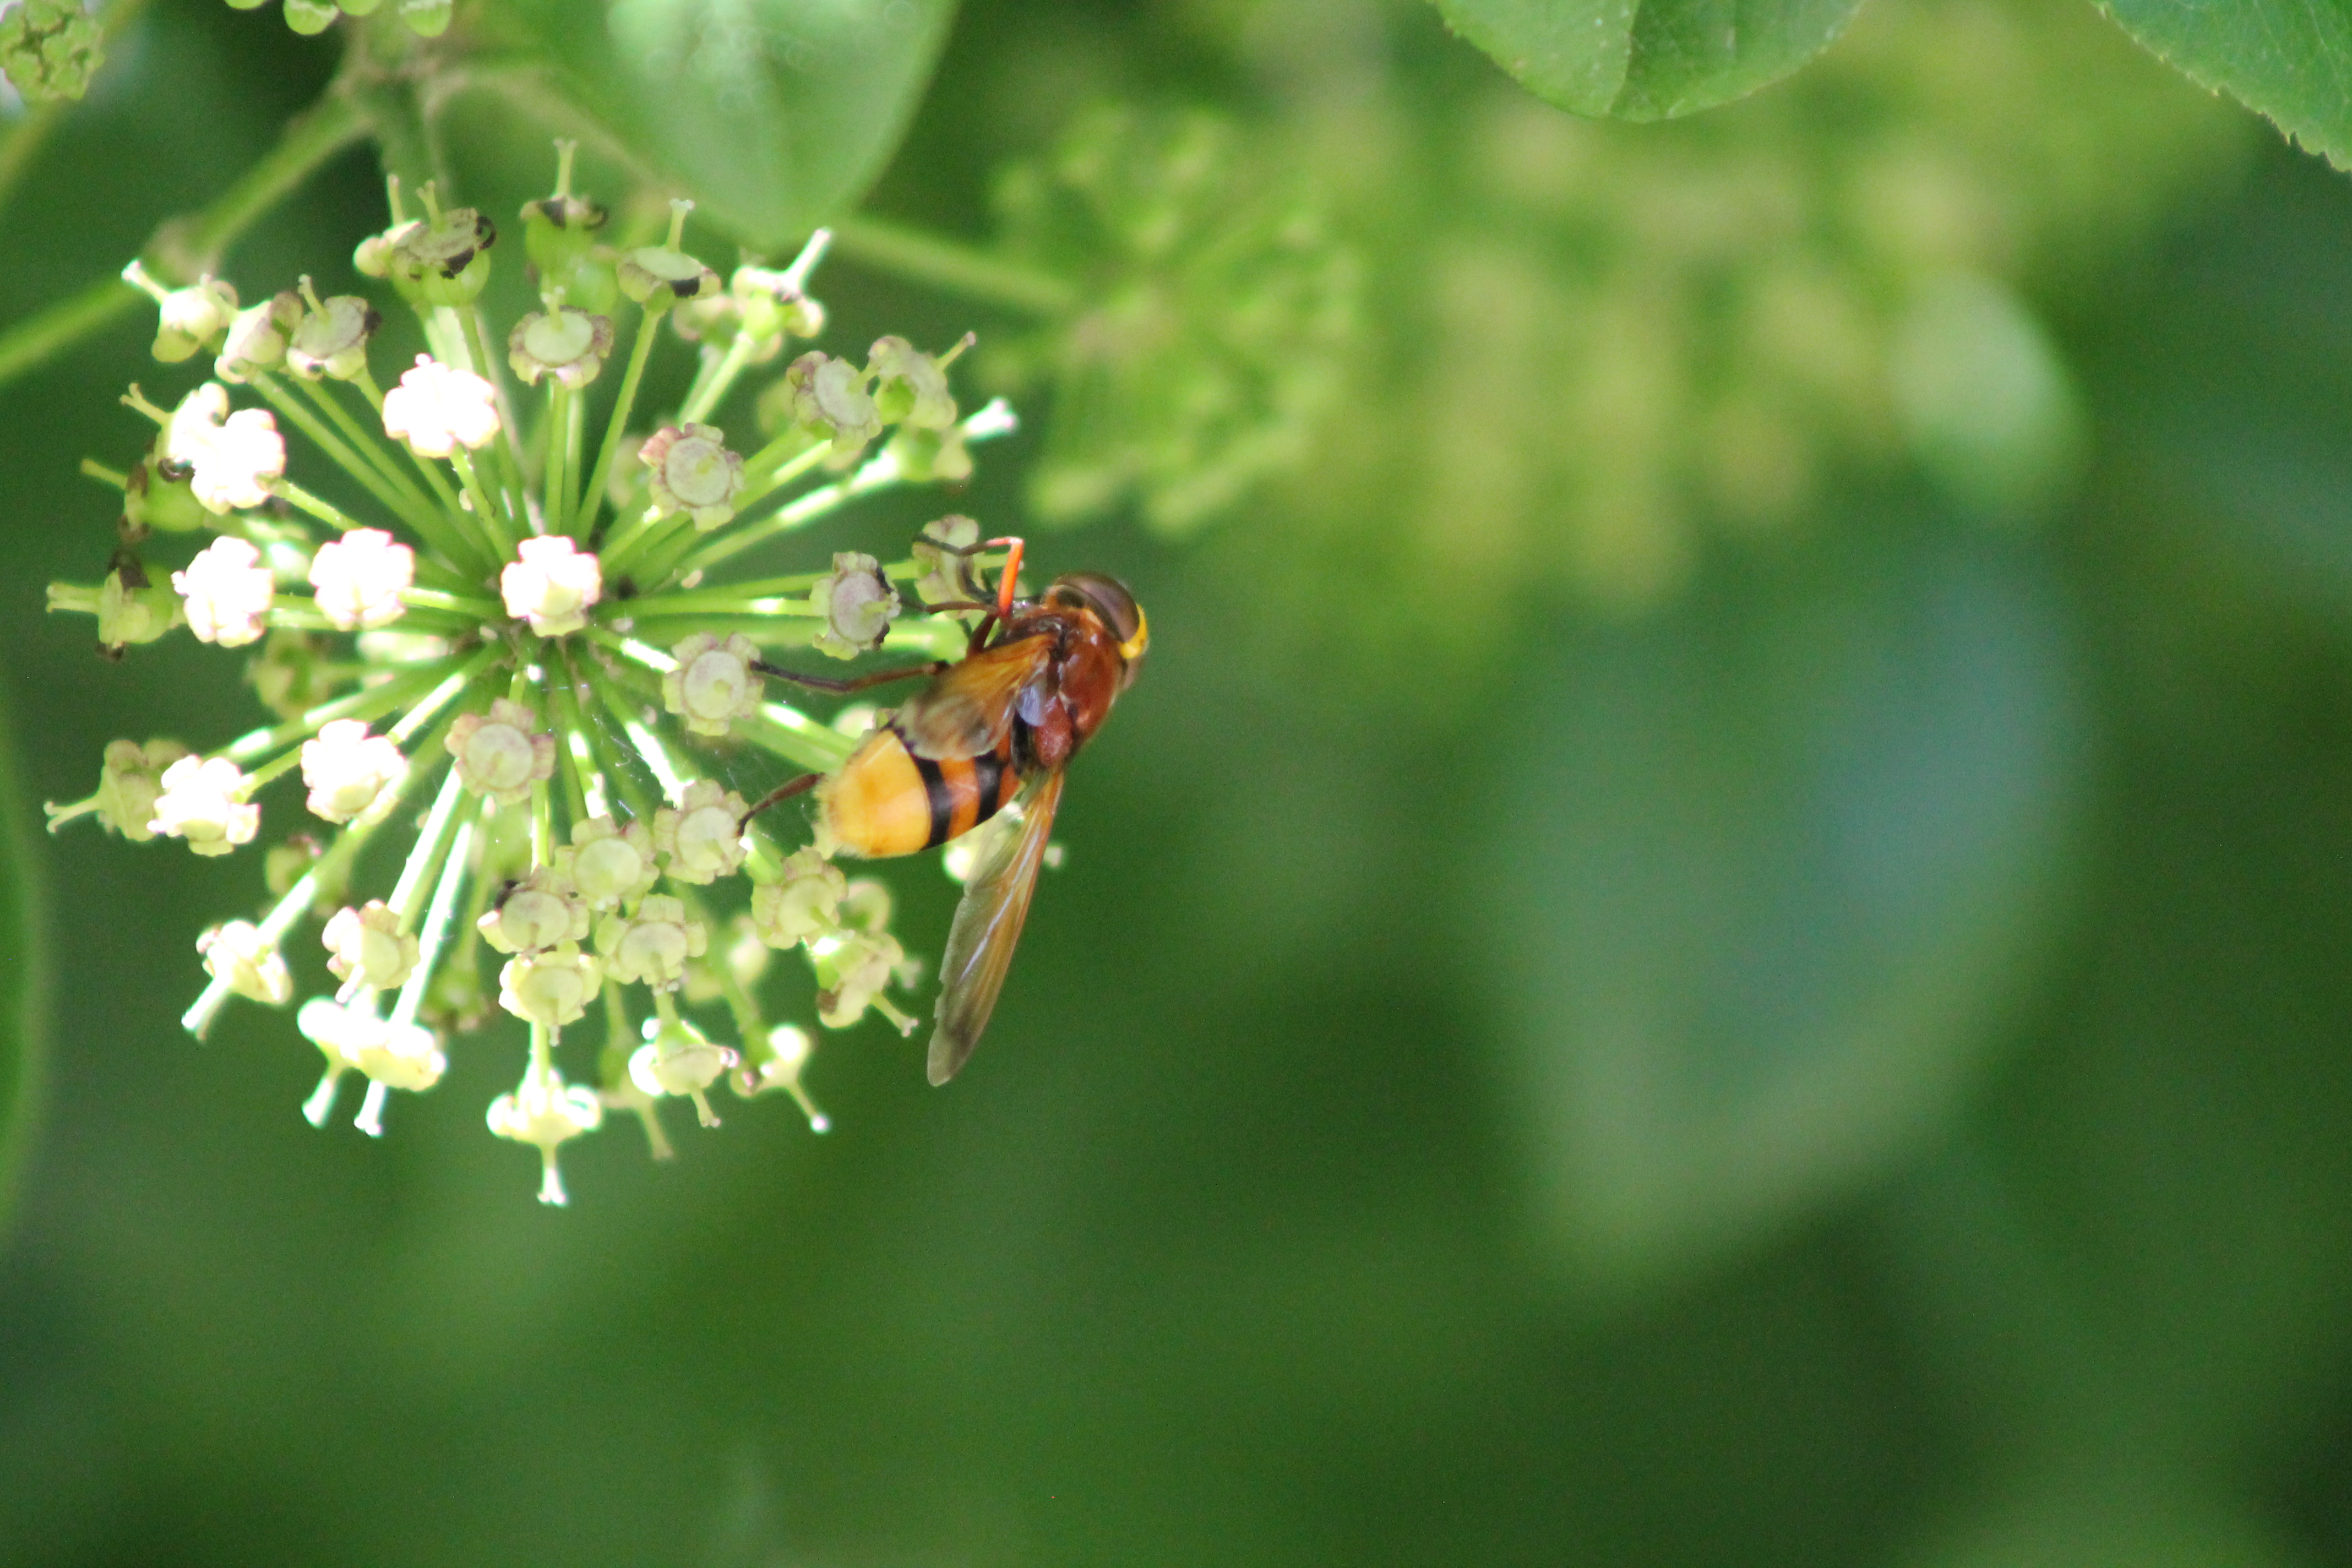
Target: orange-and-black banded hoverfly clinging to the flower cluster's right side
column 996, row 728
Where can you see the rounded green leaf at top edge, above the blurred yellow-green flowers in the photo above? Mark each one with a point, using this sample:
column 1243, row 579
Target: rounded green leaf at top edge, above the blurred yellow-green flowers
column 1631, row 60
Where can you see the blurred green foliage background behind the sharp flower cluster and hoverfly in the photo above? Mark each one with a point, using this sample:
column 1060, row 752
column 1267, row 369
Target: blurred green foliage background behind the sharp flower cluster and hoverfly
column 1718, row 932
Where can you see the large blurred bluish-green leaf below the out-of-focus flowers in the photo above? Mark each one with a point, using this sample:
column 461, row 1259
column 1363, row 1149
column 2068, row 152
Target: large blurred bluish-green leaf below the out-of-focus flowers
column 1772, row 869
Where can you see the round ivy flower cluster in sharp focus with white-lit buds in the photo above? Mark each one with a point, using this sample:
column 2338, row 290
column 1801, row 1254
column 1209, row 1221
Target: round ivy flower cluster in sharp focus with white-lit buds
column 509, row 669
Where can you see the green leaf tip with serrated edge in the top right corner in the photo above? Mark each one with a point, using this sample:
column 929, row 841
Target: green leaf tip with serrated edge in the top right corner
column 2283, row 58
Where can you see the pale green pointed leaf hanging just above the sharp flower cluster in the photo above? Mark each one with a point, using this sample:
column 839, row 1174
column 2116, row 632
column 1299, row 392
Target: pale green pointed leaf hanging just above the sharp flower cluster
column 773, row 114
